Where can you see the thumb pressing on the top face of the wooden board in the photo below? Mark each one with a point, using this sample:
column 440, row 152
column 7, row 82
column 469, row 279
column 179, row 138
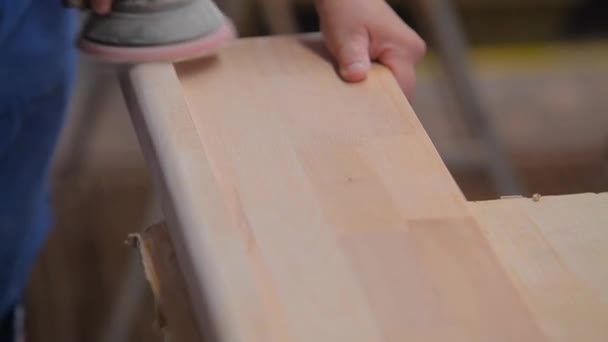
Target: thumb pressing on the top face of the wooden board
column 352, row 54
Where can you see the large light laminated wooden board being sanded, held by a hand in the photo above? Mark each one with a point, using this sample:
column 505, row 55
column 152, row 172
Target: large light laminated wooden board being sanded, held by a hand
column 304, row 208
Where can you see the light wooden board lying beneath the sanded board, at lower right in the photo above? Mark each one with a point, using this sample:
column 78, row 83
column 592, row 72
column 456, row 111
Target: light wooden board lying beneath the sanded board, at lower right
column 556, row 253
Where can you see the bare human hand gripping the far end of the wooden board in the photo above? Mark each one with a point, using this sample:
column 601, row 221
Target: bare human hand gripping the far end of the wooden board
column 357, row 32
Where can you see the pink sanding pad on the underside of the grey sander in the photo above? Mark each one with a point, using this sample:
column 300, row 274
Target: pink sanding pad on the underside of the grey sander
column 168, row 53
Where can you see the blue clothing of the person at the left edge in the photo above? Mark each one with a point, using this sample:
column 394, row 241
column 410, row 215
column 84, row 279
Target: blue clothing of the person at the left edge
column 36, row 71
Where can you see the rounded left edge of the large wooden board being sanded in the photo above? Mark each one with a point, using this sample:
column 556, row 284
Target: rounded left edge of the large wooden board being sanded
column 154, row 99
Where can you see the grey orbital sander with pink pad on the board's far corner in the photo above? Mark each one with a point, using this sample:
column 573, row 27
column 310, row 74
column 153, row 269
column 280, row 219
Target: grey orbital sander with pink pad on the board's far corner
column 136, row 31
